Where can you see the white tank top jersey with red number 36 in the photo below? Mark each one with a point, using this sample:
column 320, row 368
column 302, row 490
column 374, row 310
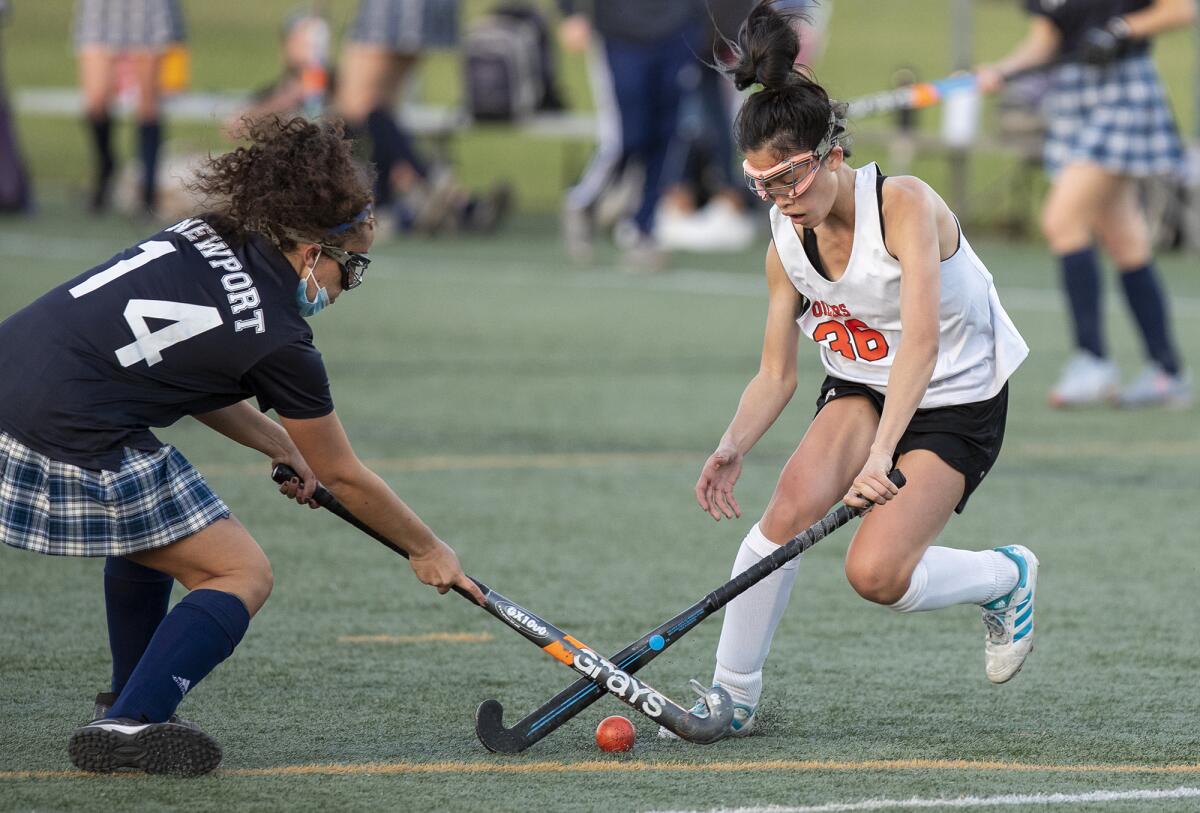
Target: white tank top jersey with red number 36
column 856, row 320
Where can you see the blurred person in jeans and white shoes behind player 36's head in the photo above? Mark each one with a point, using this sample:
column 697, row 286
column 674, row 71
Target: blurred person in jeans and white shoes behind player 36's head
column 706, row 207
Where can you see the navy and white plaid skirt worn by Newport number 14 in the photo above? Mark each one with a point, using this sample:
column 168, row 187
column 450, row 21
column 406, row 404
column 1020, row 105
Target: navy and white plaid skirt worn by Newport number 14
column 55, row 508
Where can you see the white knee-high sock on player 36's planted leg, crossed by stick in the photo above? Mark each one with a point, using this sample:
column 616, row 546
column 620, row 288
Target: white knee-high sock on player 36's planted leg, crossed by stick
column 751, row 622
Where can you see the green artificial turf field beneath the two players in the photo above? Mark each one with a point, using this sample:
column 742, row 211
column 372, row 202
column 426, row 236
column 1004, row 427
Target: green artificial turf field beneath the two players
column 550, row 424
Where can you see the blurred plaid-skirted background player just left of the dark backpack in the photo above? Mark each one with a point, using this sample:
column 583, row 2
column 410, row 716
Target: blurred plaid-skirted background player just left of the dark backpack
column 380, row 57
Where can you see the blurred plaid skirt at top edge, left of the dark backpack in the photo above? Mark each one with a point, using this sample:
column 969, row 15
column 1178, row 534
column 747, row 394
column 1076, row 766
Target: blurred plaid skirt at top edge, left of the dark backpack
column 407, row 27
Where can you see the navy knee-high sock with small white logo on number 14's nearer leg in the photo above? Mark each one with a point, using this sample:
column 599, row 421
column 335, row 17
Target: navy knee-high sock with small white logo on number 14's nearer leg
column 201, row 633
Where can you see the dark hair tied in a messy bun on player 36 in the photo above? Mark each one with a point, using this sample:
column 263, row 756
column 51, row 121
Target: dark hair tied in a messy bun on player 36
column 791, row 113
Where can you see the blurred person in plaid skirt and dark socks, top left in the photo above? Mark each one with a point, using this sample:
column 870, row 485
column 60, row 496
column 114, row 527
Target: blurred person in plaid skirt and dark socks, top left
column 141, row 31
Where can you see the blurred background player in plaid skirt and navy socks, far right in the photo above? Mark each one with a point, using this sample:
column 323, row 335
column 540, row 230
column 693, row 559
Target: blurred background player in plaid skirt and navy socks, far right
column 1108, row 125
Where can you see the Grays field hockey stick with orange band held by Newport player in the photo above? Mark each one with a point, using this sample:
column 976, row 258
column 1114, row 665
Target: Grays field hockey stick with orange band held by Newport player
column 567, row 649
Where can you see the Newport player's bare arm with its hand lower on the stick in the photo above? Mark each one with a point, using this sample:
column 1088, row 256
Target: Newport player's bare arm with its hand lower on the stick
column 323, row 443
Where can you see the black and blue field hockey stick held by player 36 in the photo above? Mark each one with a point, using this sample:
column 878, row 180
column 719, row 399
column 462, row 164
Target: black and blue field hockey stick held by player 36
column 579, row 696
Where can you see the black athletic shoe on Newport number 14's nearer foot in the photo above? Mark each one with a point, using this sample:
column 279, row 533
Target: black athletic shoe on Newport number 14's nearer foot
column 110, row 745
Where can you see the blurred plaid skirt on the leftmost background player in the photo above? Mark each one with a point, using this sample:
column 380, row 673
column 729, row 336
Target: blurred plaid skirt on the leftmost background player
column 128, row 23
